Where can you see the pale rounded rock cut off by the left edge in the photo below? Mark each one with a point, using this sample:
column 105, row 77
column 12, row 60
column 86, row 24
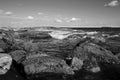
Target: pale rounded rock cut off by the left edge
column 5, row 63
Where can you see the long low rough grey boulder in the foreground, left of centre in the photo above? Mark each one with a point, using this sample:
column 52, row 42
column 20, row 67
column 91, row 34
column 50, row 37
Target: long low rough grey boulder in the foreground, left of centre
column 44, row 63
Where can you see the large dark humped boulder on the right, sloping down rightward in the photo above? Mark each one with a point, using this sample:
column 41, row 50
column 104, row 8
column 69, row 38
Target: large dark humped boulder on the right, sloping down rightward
column 91, row 54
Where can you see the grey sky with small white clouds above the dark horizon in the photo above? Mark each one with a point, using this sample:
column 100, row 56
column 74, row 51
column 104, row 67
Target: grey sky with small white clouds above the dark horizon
column 22, row 13
